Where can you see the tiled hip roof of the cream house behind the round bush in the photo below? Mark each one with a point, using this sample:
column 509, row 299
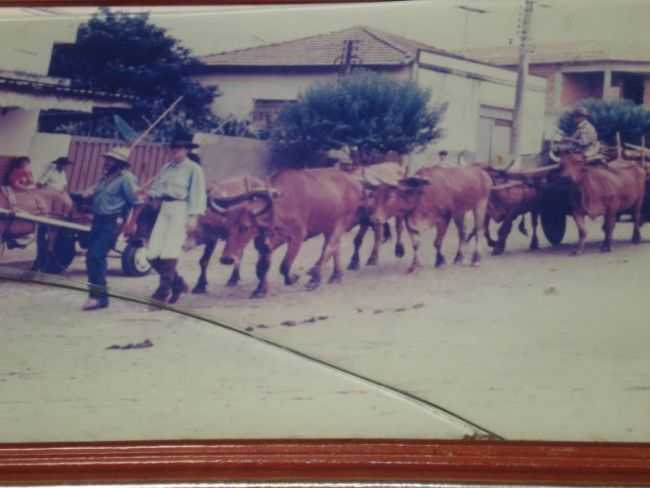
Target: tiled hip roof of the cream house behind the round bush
column 376, row 48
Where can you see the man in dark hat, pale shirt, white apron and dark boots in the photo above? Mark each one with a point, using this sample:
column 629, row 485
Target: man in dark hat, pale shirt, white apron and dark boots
column 180, row 187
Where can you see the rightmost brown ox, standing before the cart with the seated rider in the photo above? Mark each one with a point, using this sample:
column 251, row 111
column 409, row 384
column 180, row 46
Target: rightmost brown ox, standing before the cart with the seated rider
column 604, row 190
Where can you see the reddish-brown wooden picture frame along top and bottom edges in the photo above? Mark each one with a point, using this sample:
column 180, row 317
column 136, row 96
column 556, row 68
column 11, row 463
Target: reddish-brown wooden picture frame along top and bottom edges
column 480, row 462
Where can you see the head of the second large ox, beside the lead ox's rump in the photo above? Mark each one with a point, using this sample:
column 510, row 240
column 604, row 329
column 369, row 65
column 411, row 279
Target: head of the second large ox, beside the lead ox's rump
column 394, row 200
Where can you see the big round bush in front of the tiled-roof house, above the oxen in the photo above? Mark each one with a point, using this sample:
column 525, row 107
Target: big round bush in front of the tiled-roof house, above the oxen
column 363, row 114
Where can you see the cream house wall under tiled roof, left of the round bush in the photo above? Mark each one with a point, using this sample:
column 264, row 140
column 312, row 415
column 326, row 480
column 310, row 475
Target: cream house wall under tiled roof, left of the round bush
column 239, row 90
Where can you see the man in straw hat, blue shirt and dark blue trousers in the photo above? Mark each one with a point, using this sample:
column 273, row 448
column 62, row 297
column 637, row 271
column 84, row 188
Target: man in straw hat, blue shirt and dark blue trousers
column 112, row 199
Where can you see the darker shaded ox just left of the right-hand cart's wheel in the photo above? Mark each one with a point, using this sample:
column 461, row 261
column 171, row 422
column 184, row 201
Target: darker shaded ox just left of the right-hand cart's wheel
column 510, row 199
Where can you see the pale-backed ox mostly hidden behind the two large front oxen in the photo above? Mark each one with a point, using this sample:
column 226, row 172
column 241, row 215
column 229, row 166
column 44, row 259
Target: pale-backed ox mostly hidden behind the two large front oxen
column 371, row 177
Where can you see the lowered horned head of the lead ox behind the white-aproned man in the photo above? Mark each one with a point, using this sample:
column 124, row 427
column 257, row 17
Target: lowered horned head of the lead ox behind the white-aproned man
column 245, row 216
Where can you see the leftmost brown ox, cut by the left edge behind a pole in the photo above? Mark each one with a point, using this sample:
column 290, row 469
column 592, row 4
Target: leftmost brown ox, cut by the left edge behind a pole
column 42, row 202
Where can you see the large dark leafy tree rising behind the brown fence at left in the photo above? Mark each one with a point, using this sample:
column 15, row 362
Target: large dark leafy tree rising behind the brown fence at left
column 125, row 53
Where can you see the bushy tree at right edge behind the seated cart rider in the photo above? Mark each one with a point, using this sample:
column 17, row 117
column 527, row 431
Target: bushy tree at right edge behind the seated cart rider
column 609, row 117
